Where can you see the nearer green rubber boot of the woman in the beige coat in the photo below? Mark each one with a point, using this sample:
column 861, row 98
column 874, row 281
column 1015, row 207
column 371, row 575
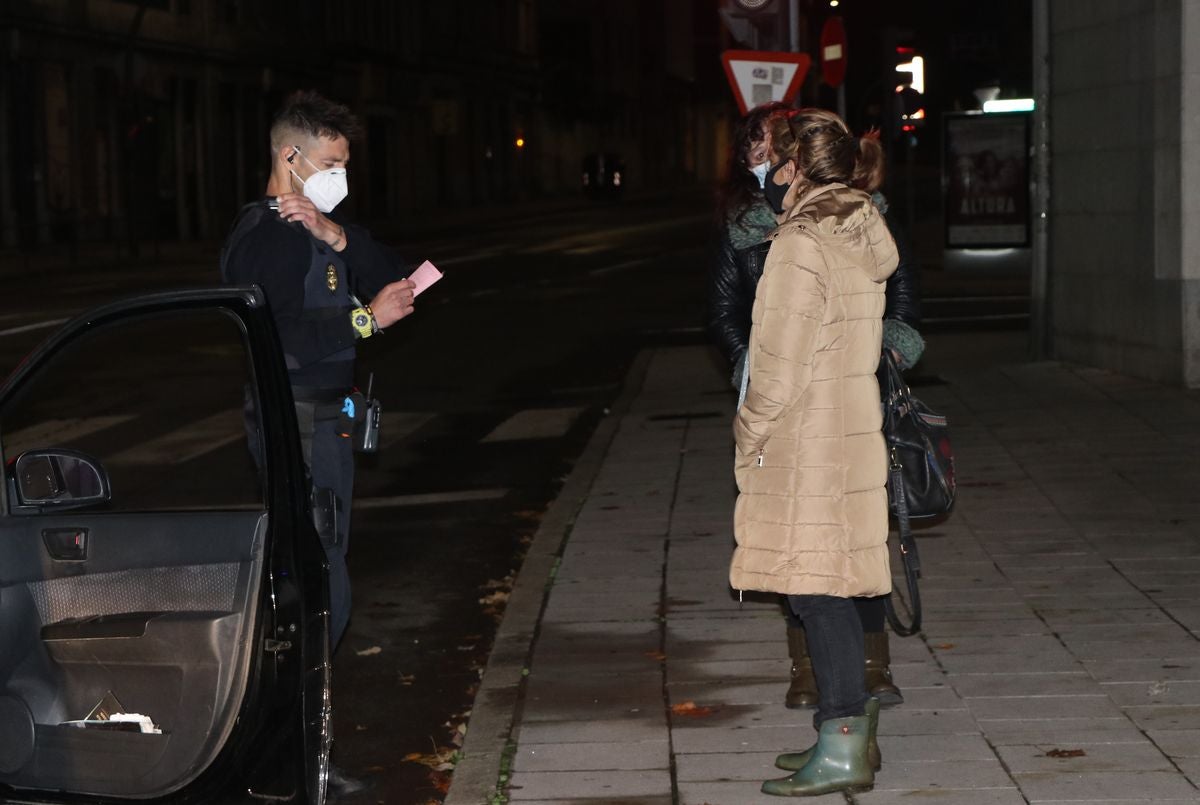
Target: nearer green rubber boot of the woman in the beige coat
column 838, row 764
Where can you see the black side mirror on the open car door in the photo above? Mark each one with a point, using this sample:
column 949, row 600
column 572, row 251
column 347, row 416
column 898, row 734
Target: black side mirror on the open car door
column 58, row 479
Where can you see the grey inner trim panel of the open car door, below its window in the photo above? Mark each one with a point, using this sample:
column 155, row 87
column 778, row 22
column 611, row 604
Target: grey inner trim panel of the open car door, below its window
column 166, row 640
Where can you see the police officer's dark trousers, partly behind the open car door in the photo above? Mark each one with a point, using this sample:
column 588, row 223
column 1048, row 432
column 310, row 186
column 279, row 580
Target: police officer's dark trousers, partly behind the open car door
column 331, row 459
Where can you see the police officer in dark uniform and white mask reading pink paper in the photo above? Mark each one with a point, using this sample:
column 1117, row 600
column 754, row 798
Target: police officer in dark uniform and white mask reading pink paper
column 329, row 287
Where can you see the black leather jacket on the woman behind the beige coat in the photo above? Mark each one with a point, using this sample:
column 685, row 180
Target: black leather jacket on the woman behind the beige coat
column 734, row 279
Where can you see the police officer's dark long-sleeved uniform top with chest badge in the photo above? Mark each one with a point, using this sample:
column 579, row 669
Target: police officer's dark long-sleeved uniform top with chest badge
column 309, row 290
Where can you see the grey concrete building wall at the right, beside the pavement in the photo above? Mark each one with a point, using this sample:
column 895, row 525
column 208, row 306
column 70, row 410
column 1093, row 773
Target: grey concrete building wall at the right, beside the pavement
column 1124, row 265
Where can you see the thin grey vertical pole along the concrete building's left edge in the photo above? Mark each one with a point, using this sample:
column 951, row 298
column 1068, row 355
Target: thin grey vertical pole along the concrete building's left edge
column 1040, row 280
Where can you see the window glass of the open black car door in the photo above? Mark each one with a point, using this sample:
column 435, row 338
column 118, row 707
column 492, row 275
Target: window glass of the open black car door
column 161, row 402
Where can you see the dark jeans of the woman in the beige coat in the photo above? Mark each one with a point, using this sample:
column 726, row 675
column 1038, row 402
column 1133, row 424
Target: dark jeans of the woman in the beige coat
column 835, row 636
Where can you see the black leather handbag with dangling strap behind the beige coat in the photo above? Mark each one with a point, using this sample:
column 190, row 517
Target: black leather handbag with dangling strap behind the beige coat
column 921, row 478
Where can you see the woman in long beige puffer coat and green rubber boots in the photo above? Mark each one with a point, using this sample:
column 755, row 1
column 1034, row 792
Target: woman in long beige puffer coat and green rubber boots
column 812, row 519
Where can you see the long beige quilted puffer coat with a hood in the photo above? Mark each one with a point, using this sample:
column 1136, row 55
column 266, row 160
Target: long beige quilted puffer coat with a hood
column 812, row 465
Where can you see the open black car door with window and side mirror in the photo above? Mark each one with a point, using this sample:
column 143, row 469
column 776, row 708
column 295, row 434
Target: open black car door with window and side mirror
column 164, row 603
